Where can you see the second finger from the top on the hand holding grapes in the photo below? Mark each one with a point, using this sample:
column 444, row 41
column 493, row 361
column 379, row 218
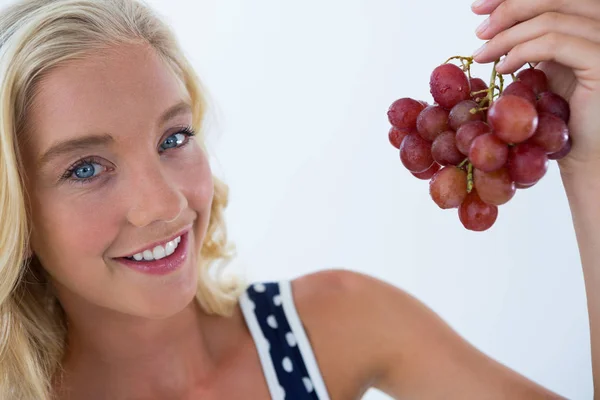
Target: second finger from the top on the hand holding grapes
column 510, row 12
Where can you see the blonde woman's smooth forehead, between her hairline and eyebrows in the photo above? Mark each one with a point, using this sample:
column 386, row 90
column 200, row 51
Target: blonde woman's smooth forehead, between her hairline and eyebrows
column 127, row 87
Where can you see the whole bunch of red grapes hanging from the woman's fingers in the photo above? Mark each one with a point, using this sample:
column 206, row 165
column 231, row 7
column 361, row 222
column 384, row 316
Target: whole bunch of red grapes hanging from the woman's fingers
column 477, row 144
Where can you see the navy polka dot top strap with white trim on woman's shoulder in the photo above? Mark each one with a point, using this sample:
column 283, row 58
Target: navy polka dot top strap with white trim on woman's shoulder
column 287, row 359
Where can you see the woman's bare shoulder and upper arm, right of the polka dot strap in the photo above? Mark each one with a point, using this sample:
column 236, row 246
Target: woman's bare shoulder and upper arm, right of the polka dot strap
column 368, row 333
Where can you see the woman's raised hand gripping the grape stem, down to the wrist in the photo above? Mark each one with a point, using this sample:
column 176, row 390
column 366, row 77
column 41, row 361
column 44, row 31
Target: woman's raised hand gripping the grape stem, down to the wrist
column 563, row 36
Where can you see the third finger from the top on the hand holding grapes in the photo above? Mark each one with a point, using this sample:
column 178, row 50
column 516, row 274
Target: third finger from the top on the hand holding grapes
column 541, row 25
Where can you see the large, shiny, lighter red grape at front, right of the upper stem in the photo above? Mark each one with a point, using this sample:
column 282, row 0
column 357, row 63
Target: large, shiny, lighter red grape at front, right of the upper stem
column 513, row 119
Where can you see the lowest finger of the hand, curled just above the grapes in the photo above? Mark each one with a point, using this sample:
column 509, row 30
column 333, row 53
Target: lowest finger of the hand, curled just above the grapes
column 579, row 54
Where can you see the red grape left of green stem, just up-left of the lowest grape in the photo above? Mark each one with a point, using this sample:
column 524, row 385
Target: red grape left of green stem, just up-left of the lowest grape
column 448, row 187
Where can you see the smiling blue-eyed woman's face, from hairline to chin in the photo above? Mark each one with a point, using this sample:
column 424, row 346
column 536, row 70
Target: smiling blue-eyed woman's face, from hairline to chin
column 112, row 173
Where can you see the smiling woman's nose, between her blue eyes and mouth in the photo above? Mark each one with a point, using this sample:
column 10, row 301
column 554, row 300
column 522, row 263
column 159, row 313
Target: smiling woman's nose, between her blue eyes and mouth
column 156, row 198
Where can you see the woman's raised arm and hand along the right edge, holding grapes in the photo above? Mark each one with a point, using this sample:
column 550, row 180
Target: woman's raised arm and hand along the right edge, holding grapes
column 564, row 36
